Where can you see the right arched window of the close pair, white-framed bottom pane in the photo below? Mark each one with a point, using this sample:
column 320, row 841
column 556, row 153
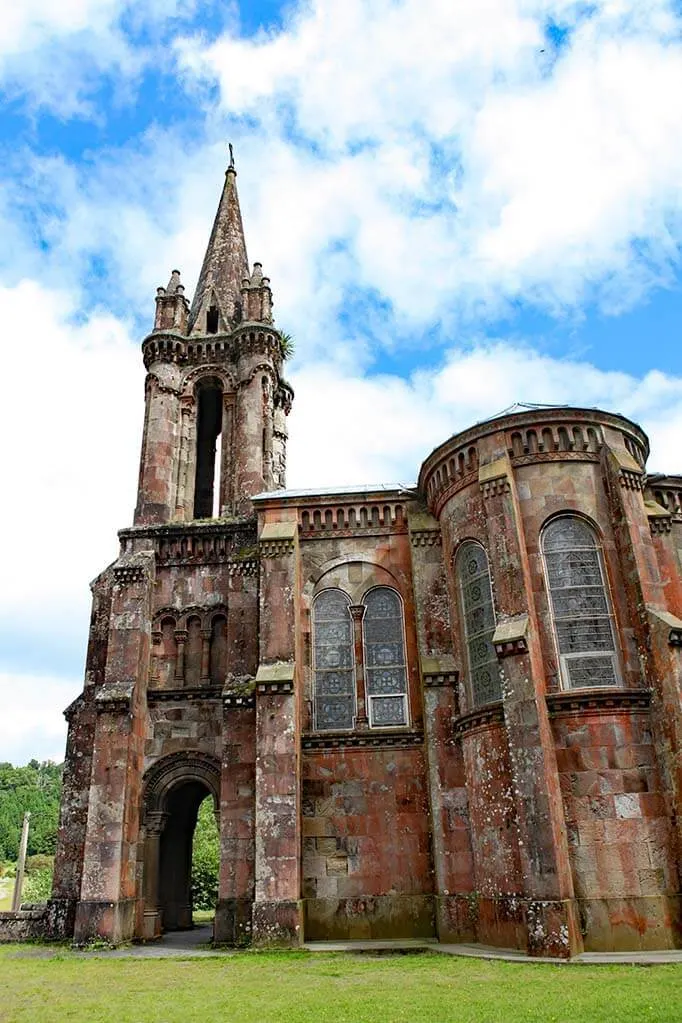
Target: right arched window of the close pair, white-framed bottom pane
column 386, row 676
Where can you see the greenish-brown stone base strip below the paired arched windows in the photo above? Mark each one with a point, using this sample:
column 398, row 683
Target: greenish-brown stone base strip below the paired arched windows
column 381, row 917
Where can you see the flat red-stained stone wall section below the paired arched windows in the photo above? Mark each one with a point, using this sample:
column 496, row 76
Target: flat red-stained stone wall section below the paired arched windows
column 367, row 850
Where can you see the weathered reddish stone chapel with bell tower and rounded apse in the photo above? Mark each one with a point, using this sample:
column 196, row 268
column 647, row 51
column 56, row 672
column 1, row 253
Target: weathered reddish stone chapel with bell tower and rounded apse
column 451, row 713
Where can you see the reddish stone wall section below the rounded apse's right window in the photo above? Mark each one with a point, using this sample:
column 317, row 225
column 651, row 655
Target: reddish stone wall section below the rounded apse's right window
column 619, row 831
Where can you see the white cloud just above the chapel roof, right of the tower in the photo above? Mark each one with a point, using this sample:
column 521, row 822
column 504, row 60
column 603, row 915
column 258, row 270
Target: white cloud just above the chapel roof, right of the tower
column 351, row 429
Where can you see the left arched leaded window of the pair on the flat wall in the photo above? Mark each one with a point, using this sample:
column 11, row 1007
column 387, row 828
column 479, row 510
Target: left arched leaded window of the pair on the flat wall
column 333, row 661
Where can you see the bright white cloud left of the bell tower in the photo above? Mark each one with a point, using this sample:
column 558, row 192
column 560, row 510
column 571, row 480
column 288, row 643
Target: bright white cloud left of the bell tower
column 72, row 415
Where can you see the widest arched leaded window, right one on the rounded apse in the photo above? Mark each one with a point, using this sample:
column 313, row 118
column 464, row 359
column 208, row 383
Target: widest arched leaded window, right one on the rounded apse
column 581, row 610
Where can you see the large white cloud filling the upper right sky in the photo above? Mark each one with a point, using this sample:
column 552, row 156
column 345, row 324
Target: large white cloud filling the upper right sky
column 490, row 167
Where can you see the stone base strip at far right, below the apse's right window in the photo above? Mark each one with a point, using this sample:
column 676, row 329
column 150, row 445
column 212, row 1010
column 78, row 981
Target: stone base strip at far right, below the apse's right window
column 631, row 924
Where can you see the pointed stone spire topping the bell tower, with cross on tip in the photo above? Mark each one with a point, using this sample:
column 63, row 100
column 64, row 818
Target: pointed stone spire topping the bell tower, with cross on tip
column 225, row 263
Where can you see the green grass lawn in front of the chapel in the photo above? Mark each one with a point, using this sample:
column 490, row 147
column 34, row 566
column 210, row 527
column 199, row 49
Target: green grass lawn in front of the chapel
column 292, row 988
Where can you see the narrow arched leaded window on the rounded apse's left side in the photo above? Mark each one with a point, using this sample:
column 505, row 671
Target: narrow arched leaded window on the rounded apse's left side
column 476, row 598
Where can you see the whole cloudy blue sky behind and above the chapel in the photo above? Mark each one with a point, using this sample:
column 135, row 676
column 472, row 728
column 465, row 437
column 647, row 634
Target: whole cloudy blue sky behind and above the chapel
column 461, row 206
